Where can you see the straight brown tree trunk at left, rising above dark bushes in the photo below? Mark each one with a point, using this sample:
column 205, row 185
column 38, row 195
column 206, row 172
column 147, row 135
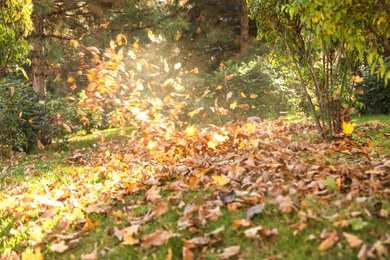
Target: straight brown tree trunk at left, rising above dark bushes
column 39, row 68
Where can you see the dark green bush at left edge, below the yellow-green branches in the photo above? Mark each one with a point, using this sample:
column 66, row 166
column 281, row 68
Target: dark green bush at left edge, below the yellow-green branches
column 21, row 116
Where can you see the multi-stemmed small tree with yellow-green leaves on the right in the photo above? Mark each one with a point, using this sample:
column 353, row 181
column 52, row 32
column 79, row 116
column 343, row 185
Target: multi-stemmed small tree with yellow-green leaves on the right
column 324, row 43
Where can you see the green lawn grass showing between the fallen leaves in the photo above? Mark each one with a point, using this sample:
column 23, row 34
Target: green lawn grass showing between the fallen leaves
column 83, row 185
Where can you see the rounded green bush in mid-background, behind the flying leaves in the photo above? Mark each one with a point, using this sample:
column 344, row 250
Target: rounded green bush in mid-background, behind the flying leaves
column 255, row 89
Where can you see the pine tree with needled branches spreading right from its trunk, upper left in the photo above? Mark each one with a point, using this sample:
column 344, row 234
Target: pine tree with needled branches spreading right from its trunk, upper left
column 92, row 22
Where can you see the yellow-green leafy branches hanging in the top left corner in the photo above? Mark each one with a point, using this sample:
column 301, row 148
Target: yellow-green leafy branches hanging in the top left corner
column 15, row 25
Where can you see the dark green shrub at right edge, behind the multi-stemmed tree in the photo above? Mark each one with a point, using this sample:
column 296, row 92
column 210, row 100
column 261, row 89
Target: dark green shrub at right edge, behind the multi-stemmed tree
column 376, row 94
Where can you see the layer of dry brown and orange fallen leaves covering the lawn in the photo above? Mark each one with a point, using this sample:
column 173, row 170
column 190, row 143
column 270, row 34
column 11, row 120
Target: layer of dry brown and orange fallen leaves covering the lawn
column 245, row 168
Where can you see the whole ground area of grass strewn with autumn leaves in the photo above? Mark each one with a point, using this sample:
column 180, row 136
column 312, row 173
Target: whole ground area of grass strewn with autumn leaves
column 247, row 190
